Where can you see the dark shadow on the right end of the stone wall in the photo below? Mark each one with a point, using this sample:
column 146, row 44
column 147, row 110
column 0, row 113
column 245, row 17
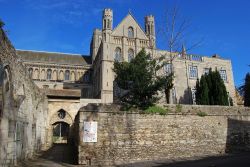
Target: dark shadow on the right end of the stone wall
column 238, row 135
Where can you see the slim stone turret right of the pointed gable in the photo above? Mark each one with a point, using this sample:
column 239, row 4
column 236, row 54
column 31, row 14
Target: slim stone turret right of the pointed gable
column 150, row 29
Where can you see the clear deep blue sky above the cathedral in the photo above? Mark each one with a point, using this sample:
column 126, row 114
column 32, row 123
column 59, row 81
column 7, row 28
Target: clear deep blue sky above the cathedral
column 223, row 26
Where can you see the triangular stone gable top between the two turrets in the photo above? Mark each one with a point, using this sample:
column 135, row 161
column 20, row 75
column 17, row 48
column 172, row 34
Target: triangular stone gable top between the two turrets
column 129, row 21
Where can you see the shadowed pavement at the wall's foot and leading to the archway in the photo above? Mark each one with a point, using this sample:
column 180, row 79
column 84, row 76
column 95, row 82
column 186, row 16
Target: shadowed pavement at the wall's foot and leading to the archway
column 62, row 155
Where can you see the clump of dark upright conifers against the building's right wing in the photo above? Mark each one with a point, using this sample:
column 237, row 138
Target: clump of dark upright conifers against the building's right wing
column 211, row 90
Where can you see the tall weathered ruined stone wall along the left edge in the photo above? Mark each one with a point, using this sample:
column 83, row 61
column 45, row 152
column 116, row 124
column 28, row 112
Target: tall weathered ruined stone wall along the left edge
column 24, row 109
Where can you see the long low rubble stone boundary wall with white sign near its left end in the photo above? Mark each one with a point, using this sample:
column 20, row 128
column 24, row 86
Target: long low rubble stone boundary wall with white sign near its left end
column 126, row 137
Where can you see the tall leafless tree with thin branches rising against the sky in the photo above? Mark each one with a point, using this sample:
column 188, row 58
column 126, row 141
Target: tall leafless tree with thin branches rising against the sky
column 175, row 31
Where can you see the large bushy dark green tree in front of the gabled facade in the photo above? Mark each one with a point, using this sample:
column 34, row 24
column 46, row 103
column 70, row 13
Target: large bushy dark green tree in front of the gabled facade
column 138, row 79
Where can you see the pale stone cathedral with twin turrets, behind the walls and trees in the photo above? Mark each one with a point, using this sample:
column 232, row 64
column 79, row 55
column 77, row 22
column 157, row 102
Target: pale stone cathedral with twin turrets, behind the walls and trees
column 65, row 75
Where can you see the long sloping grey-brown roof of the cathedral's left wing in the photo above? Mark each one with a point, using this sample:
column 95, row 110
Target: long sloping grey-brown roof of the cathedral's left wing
column 54, row 57
